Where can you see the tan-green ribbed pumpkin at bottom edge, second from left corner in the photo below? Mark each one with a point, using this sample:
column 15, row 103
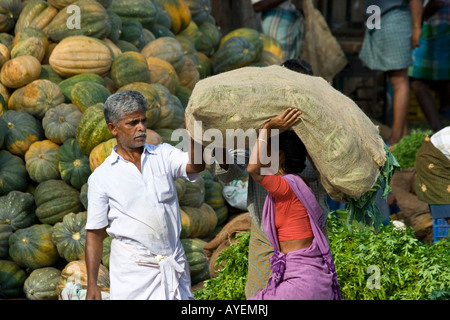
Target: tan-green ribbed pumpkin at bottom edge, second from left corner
column 42, row 283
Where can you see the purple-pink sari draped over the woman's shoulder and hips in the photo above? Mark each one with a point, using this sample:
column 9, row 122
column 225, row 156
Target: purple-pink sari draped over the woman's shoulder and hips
column 304, row 274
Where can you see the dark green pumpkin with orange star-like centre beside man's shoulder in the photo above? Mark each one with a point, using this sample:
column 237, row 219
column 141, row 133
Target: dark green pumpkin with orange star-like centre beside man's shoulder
column 74, row 165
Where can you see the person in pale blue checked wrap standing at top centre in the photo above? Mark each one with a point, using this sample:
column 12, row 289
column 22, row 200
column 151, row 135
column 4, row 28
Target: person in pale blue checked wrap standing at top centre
column 284, row 21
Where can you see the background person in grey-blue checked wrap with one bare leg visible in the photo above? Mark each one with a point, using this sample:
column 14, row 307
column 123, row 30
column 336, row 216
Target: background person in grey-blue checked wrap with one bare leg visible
column 388, row 49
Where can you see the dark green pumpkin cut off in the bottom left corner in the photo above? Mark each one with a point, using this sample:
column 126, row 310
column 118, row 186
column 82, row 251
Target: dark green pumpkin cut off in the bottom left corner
column 12, row 278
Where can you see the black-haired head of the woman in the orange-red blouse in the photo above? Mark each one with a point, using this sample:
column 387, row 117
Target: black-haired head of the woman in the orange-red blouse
column 292, row 152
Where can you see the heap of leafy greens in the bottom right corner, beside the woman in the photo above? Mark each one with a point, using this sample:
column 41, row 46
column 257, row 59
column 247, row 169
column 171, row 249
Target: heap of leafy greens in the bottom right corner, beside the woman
column 405, row 268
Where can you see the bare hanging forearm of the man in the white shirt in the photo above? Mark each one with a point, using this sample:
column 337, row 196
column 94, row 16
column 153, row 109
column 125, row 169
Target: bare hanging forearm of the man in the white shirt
column 94, row 252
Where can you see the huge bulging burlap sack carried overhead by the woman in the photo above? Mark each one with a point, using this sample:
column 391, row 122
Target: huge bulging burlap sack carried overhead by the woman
column 343, row 143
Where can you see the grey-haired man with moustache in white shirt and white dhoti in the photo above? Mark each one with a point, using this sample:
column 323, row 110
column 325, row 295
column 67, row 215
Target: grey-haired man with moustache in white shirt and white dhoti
column 132, row 196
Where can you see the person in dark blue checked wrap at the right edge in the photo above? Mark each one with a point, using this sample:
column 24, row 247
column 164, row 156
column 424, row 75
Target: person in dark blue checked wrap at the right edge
column 432, row 62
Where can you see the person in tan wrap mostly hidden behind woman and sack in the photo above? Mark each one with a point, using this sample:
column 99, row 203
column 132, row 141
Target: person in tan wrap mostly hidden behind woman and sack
column 260, row 248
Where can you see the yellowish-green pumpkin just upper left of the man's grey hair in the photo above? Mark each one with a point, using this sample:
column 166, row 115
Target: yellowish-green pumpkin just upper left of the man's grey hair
column 85, row 94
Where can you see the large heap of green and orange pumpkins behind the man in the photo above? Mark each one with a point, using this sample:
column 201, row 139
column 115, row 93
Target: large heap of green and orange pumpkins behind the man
column 60, row 60
